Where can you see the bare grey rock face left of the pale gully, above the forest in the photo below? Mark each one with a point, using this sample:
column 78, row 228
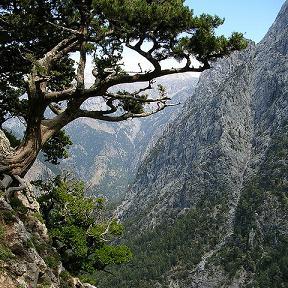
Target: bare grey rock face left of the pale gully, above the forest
column 202, row 144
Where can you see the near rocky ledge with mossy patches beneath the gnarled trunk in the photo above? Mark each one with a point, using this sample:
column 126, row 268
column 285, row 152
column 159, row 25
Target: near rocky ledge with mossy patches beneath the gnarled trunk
column 27, row 258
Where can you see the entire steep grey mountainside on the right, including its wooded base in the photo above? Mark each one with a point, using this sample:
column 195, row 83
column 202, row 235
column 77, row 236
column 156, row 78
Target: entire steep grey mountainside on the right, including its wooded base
column 209, row 204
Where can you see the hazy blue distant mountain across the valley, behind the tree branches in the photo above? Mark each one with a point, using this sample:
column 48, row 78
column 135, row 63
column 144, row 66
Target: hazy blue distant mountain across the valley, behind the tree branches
column 106, row 155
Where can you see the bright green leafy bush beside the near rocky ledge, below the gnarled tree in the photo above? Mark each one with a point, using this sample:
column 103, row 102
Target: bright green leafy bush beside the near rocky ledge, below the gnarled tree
column 78, row 229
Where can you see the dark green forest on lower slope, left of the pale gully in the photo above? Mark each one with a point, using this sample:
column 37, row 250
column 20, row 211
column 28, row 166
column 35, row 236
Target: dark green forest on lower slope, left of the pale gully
column 169, row 245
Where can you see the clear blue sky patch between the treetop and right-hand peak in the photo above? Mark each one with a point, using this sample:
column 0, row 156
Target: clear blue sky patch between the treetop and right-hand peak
column 252, row 17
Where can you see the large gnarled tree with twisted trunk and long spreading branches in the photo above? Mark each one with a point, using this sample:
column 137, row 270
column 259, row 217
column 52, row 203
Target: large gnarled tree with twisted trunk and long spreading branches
column 38, row 76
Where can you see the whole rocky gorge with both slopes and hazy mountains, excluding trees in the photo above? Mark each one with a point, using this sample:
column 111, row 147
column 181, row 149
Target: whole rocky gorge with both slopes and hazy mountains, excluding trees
column 202, row 188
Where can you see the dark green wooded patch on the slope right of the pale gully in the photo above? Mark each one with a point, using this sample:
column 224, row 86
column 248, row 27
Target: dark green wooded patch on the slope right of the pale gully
column 260, row 241
